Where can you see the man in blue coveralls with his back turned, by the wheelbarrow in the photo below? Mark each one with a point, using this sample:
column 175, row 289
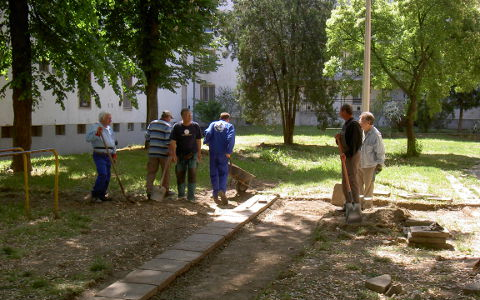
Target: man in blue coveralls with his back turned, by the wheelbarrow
column 220, row 137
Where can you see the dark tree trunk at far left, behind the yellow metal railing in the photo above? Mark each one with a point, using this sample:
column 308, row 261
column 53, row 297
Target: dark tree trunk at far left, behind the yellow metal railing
column 21, row 79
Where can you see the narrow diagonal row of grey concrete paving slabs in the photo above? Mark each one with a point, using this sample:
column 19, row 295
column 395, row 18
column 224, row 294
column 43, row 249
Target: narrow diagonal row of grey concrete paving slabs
column 156, row 274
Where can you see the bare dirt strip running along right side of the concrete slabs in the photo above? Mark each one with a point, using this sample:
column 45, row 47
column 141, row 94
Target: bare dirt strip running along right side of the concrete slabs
column 258, row 254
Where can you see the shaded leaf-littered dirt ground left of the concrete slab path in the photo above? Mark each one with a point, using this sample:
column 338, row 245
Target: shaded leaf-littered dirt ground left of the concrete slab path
column 119, row 234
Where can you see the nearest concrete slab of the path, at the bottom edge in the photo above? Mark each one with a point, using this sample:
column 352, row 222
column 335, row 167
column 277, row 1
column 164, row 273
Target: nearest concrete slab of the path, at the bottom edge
column 130, row 291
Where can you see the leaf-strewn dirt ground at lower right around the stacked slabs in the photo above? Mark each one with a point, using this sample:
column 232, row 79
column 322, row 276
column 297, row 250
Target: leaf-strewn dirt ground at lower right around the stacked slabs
column 343, row 257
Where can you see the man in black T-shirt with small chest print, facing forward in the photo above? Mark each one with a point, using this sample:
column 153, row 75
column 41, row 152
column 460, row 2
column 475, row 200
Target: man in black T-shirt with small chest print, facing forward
column 185, row 148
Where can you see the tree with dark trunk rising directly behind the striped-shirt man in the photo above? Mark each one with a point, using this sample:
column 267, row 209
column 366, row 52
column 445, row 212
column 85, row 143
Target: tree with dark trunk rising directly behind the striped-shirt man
column 167, row 39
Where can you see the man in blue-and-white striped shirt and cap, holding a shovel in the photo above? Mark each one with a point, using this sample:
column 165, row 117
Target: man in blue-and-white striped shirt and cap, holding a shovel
column 158, row 139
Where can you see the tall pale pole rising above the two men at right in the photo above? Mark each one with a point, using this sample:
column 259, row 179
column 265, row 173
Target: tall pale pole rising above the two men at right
column 366, row 59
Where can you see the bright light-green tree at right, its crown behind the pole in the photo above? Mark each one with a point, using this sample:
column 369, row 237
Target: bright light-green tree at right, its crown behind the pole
column 419, row 46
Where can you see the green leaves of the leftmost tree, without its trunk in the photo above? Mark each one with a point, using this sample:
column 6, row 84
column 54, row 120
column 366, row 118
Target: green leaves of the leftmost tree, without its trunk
column 68, row 36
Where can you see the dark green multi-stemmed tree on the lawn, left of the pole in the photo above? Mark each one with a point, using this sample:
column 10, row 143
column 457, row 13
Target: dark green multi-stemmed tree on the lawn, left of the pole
column 280, row 46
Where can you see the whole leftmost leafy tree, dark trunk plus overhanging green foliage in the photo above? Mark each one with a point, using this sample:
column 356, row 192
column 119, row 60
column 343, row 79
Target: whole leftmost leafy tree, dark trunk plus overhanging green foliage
column 67, row 35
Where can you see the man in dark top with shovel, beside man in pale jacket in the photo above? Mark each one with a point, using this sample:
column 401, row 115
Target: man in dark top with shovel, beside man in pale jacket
column 351, row 139
